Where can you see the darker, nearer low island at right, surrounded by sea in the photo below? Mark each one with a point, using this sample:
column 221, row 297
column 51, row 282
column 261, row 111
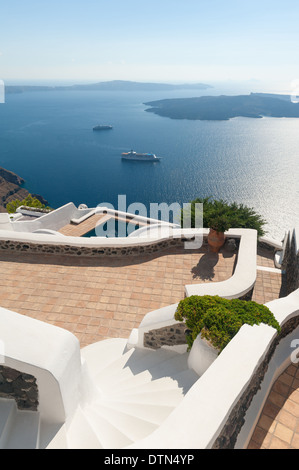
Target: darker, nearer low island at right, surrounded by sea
column 254, row 105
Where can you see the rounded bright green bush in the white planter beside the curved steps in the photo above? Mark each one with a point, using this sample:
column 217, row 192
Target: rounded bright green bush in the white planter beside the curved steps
column 218, row 319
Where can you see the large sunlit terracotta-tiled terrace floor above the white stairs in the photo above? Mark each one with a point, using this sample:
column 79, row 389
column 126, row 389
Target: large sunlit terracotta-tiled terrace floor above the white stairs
column 98, row 299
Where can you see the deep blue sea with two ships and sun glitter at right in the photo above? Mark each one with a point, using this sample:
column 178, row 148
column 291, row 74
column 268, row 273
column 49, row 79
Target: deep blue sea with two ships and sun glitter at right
column 47, row 138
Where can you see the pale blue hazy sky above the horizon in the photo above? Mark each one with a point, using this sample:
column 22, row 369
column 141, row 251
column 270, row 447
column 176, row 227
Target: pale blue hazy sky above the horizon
column 153, row 40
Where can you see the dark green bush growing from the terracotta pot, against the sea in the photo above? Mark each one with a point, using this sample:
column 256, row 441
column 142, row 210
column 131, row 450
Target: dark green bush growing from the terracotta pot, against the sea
column 221, row 215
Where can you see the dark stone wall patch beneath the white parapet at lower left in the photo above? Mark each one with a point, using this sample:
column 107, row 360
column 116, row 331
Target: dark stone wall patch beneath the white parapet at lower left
column 19, row 386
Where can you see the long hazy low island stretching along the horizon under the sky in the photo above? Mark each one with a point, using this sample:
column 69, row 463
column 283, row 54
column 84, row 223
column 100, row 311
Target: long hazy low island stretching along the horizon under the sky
column 115, row 85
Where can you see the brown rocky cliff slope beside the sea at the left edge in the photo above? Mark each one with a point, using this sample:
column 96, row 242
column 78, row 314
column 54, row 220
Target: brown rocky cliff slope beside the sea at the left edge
column 11, row 188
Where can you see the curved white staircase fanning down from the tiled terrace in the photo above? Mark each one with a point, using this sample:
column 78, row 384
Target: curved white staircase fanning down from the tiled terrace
column 133, row 392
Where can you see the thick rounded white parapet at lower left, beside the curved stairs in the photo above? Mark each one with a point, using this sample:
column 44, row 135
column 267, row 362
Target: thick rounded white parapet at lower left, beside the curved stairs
column 51, row 355
